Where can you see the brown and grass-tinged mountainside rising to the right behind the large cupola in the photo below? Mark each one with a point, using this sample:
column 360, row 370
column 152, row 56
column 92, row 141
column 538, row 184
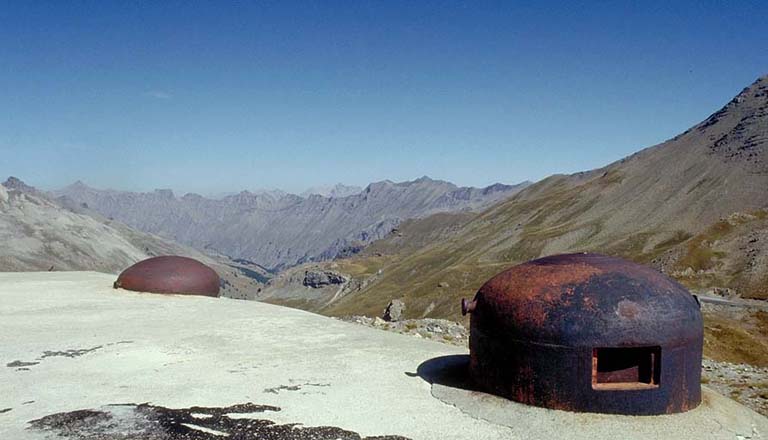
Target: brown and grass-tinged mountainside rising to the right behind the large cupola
column 695, row 207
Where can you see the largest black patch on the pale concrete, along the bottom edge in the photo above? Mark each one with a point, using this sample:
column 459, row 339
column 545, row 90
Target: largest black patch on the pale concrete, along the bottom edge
column 151, row 422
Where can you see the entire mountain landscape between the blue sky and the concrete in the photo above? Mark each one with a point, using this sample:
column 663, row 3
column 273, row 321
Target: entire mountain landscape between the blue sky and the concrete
column 694, row 207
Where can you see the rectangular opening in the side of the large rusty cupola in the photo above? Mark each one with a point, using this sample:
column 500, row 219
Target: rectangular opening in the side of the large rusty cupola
column 626, row 368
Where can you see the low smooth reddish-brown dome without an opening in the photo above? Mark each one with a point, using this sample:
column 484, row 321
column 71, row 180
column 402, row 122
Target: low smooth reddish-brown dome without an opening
column 170, row 274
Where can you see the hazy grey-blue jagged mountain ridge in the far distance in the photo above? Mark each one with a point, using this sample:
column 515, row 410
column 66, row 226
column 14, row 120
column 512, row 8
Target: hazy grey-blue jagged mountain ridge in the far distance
column 278, row 230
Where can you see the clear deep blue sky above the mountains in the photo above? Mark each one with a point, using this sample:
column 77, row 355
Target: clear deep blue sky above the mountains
column 223, row 96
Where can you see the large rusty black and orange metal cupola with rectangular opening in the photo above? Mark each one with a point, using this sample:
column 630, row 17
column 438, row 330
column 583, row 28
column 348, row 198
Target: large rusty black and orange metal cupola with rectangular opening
column 587, row 332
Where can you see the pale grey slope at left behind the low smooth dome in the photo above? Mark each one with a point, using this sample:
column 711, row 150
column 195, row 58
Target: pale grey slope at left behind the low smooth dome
column 41, row 233
